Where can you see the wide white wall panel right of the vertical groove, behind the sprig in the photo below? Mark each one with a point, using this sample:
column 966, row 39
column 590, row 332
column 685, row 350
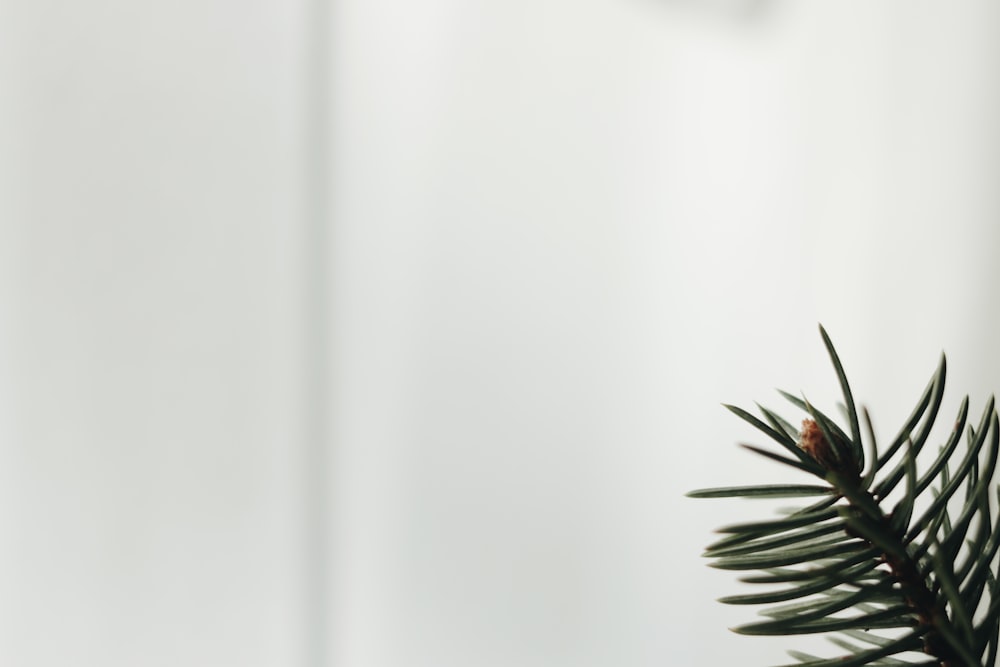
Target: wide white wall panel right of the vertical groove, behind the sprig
column 564, row 233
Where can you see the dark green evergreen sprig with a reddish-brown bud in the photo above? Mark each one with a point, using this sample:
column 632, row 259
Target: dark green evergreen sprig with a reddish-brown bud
column 889, row 562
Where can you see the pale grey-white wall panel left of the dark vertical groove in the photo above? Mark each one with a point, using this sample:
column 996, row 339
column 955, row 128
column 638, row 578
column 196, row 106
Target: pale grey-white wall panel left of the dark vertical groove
column 151, row 317
